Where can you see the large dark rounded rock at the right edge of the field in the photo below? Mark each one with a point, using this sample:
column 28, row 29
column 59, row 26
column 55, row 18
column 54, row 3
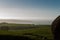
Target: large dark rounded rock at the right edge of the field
column 56, row 28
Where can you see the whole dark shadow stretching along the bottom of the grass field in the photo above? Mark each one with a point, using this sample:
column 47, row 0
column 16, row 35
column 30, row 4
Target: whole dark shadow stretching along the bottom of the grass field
column 25, row 36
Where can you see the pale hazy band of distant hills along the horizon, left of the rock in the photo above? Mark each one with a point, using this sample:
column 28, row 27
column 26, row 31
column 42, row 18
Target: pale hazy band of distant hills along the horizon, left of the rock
column 36, row 22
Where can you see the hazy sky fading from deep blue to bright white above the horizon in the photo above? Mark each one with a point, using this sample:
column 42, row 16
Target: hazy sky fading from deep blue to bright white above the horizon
column 29, row 9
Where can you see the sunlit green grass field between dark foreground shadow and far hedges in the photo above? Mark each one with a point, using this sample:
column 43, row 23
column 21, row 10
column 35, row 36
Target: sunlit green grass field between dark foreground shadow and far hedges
column 41, row 30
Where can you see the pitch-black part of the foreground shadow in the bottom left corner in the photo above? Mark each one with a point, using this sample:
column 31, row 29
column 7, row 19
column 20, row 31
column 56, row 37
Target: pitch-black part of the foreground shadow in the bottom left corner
column 10, row 37
